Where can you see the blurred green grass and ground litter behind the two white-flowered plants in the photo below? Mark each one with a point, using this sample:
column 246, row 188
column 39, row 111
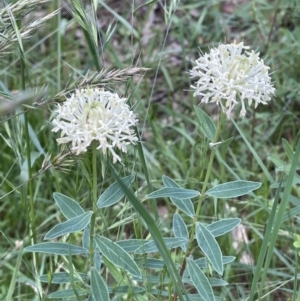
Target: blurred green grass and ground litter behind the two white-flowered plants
column 166, row 37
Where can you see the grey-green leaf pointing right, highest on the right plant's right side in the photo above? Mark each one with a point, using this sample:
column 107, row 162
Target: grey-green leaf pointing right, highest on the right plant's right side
column 233, row 189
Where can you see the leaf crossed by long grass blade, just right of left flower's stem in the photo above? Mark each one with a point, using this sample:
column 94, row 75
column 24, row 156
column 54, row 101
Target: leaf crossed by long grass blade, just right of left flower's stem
column 113, row 193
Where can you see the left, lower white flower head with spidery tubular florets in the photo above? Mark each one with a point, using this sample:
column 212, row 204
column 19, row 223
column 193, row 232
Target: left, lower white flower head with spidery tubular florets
column 95, row 114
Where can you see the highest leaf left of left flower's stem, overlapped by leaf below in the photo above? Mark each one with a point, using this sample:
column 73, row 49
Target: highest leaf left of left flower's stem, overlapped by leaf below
column 68, row 207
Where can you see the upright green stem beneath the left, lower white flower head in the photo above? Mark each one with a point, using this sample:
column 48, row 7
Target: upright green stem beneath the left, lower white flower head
column 94, row 201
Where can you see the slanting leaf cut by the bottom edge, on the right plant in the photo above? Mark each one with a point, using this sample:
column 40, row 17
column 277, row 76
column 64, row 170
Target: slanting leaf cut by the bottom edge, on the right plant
column 200, row 281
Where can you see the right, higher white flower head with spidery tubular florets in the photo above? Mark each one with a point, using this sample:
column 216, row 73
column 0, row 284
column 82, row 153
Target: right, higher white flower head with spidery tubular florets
column 229, row 75
